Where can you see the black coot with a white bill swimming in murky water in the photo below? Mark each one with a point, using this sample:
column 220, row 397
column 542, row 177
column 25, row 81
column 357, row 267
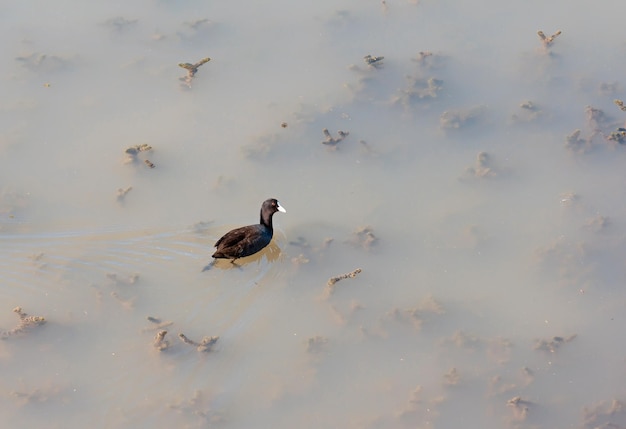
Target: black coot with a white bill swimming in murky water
column 248, row 240
